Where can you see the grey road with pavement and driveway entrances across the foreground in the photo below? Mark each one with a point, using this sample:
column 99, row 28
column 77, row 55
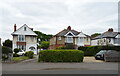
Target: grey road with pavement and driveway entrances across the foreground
column 89, row 66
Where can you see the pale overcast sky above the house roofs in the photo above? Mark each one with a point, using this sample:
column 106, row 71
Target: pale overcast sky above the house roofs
column 52, row 16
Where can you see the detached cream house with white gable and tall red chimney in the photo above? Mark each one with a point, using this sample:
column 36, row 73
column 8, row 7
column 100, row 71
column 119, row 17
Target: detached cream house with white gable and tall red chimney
column 24, row 38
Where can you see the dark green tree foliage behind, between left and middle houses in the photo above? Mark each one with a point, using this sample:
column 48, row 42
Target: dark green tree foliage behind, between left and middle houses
column 42, row 36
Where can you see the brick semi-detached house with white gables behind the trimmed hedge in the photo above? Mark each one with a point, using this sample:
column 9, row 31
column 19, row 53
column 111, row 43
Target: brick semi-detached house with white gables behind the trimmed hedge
column 69, row 36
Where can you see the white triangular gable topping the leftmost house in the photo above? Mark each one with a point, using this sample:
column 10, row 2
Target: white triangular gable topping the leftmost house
column 21, row 31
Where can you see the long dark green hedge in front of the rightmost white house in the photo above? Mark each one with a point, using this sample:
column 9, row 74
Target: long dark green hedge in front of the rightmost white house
column 92, row 50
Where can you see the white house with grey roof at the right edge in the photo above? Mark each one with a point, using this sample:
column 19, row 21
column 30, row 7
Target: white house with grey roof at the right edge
column 107, row 38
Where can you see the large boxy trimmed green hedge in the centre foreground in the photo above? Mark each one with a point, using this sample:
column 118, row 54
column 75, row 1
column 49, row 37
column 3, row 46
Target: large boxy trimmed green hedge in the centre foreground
column 61, row 56
